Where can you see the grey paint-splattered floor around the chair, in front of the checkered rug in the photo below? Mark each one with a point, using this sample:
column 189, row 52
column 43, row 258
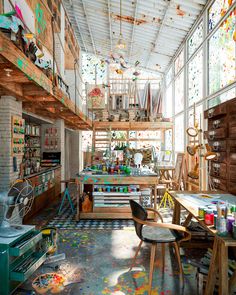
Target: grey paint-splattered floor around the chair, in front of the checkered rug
column 98, row 261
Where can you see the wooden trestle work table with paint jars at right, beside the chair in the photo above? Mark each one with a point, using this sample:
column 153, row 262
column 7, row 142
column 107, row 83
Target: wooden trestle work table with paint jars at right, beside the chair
column 219, row 260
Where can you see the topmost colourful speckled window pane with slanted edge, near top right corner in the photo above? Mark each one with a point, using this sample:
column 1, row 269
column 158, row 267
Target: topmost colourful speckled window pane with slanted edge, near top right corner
column 217, row 11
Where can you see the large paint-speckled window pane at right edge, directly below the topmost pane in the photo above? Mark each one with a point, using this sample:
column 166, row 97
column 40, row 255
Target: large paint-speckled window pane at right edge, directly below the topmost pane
column 222, row 55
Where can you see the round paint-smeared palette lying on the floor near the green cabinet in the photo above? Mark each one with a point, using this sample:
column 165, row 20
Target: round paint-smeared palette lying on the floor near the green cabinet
column 52, row 283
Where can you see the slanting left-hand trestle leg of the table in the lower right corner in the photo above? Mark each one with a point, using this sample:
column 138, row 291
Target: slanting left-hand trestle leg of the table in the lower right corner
column 211, row 278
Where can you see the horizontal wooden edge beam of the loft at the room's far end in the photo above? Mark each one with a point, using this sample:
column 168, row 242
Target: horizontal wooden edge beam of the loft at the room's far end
column 132, row 125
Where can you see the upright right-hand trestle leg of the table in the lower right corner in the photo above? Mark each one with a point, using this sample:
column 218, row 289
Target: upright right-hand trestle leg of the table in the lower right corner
column 223, row 269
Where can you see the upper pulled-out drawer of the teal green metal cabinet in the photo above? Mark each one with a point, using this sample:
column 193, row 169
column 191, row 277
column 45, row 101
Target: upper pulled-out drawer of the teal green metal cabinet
column 22, row 246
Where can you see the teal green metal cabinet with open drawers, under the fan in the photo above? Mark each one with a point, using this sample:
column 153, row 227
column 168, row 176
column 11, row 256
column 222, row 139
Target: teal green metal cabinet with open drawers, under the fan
column 19, row 259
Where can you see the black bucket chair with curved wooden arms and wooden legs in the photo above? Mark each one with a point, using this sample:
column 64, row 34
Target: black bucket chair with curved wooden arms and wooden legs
column 154, row 232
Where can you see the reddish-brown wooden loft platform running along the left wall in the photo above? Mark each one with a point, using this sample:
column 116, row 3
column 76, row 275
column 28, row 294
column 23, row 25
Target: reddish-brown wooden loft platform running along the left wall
column 30, row 85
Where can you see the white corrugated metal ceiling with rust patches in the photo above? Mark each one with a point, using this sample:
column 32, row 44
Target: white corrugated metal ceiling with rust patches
column 163, row 25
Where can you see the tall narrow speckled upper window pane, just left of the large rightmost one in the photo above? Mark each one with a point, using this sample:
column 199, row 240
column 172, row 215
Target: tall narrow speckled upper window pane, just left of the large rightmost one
column 195, row 77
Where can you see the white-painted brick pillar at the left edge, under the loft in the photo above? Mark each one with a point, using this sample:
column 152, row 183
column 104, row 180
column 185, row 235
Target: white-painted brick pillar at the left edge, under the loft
column 8, row 107
